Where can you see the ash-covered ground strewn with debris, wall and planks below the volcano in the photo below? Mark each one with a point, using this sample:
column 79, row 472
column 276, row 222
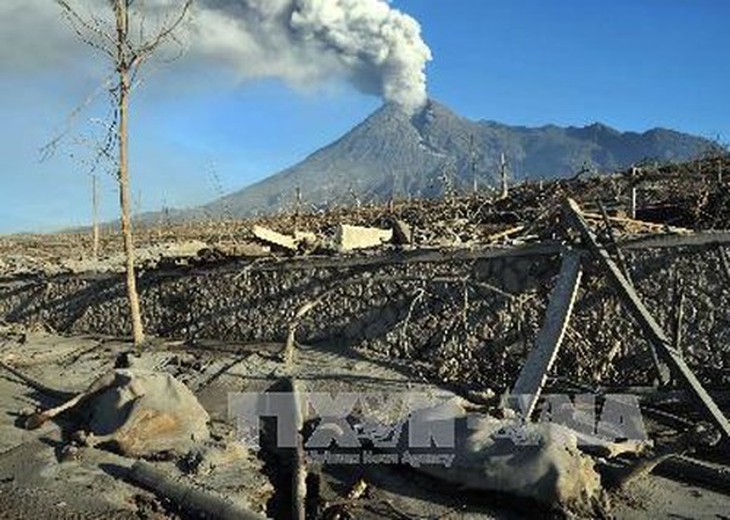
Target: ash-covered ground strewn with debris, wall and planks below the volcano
column 569, row 341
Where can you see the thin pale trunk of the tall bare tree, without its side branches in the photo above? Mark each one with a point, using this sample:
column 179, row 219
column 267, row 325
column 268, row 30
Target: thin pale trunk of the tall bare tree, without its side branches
column 124, row 197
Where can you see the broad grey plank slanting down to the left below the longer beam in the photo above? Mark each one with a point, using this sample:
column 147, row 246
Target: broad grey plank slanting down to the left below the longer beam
column 533, row 375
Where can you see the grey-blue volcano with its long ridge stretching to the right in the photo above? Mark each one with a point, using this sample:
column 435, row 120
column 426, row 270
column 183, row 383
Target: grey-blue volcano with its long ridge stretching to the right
column 392, row 154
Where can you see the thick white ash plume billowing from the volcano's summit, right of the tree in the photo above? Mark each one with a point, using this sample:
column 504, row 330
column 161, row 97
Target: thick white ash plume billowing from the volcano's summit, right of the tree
column 374, row 46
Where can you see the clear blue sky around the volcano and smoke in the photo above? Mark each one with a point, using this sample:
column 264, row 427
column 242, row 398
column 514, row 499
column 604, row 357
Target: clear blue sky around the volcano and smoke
column 197, row 132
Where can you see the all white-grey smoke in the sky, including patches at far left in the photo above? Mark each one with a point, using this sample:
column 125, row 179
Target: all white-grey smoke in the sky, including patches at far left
column 375, row 47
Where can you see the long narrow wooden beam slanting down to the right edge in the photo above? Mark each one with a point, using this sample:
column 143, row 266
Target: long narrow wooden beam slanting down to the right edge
column 649, row 326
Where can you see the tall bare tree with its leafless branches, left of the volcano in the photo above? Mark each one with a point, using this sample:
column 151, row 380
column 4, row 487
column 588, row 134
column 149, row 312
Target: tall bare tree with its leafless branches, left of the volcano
column 127, row 51
